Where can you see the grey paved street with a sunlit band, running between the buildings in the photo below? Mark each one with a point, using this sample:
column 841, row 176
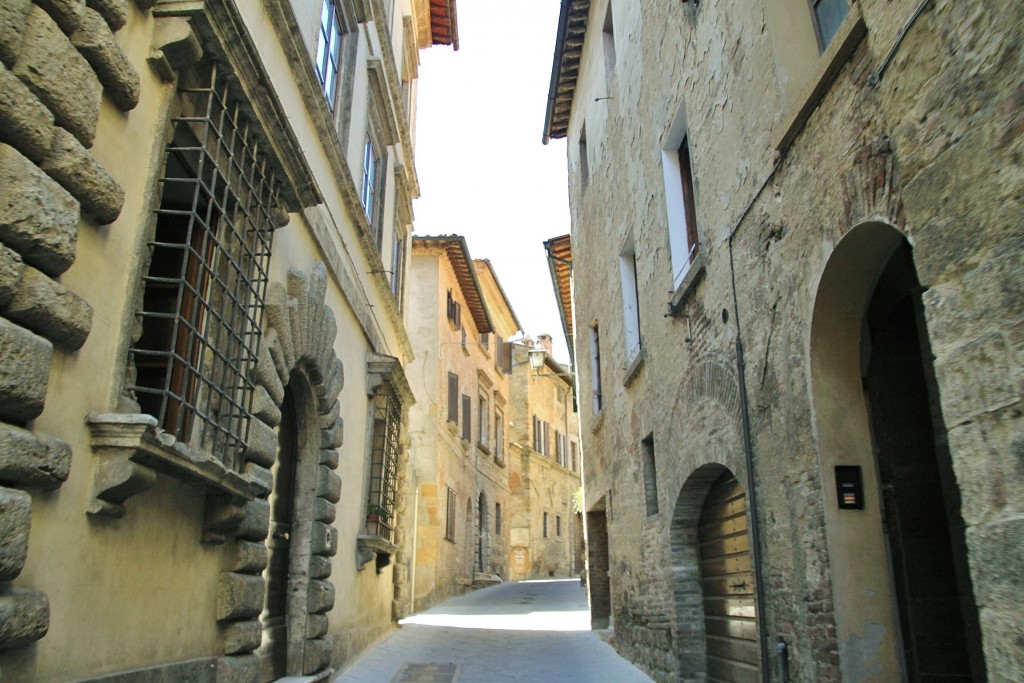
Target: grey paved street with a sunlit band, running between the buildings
column 531, row 632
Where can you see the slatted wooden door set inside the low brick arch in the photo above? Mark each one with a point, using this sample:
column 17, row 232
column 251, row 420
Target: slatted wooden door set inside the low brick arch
column 728, row 582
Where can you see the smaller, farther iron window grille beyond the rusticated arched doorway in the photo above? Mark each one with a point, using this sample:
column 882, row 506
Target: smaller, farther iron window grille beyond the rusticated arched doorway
column 385, row 463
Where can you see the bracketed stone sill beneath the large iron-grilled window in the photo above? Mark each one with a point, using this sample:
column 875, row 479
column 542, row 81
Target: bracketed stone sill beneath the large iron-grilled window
column 132, row 450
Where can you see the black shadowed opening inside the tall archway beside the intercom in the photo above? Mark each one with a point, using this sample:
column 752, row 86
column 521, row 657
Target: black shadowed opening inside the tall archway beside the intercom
column 921, row 502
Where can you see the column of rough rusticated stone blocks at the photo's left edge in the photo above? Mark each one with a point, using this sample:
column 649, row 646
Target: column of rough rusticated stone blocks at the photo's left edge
column 58, row 61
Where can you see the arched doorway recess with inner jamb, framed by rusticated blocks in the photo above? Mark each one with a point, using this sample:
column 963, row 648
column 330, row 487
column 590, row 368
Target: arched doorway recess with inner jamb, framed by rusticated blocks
column 287, row 576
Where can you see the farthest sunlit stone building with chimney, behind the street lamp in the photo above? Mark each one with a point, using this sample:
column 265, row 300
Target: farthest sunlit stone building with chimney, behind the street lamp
column 546, row 528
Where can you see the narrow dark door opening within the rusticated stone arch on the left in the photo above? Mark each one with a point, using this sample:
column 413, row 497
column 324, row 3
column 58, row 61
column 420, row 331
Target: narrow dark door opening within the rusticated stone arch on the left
column 274, row 653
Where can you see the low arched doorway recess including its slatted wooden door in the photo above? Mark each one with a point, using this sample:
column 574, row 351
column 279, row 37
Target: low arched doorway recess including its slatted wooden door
column 713, row 580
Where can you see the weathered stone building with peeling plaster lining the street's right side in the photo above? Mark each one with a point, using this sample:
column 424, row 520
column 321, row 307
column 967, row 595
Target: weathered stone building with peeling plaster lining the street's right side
column 796, row 242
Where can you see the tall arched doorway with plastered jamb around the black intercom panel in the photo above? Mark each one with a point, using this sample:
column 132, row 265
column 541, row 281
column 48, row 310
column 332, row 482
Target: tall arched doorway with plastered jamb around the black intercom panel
column 904, row 599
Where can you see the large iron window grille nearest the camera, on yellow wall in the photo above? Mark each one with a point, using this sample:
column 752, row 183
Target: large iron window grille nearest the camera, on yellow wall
column 205, row 288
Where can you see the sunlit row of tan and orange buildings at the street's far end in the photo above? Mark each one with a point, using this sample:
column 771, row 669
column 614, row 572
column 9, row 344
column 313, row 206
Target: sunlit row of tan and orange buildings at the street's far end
column 492, row 503
